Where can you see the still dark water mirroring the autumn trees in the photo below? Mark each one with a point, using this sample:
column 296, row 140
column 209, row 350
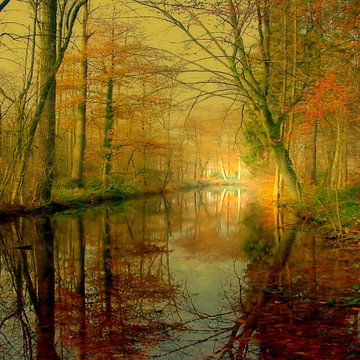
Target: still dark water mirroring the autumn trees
column 198, row 275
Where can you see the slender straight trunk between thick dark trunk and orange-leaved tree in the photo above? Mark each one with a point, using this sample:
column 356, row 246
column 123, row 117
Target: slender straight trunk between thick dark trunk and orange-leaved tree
column 77, row 173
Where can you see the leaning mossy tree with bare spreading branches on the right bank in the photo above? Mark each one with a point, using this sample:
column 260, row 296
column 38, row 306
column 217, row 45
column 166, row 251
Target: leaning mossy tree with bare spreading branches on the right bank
column 245, row 65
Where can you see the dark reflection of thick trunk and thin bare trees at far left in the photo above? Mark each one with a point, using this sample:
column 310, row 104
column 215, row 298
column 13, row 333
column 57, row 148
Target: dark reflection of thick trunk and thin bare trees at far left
column 30, row 270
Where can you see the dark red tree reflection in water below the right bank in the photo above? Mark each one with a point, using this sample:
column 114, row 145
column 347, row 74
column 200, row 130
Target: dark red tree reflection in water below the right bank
column 284, row 311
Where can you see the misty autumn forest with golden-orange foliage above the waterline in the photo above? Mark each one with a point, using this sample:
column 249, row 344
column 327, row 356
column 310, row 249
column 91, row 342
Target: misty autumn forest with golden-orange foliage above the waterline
column 237, row 90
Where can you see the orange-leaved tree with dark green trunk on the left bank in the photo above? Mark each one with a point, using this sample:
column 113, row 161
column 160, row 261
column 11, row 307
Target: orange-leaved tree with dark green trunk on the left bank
column 127, row 82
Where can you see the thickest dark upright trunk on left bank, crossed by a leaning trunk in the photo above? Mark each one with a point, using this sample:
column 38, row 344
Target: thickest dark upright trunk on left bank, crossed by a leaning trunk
column 47, row 123
